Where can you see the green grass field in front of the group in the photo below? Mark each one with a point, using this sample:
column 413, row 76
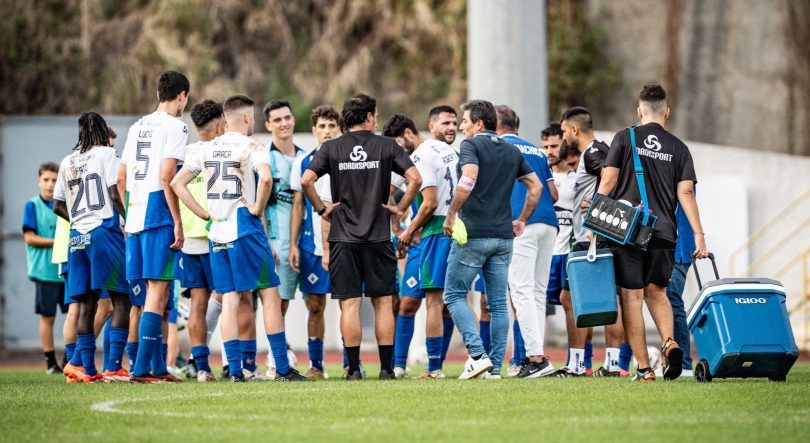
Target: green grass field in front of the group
column 35, row 407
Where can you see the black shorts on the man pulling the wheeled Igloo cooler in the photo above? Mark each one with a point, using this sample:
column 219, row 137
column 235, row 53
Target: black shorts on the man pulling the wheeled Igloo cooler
column 636, row 269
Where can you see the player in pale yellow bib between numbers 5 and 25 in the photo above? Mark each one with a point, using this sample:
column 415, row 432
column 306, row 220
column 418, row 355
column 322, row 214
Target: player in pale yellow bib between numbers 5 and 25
column 195, row 266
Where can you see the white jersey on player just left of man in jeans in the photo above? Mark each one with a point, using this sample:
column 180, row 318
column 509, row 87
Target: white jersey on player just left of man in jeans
column 437, row 162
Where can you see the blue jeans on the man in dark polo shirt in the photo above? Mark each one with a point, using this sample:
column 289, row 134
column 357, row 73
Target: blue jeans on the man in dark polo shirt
column 492, row 255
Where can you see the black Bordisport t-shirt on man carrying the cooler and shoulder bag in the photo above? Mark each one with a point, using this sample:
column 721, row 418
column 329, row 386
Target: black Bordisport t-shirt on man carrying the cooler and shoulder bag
column 666, row 162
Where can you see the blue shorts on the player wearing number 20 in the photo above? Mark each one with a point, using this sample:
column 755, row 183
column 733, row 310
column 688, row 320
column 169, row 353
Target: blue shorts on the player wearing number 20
column 96, row 262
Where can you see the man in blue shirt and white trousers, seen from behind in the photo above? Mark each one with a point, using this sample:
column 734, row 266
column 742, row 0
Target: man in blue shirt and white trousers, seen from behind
column 531, row 257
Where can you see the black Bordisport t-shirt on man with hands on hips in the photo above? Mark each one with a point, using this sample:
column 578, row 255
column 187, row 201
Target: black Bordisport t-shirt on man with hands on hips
column 359, row 165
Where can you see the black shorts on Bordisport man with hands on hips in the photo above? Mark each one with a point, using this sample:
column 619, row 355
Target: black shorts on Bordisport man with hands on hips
column 351, row 265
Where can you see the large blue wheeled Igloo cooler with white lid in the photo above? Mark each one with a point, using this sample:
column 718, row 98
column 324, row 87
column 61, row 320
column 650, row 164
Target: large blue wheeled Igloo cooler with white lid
column 741, row 329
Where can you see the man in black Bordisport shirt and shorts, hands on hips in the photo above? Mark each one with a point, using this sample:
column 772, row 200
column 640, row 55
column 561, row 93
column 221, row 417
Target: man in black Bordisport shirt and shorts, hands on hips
column 359, row 165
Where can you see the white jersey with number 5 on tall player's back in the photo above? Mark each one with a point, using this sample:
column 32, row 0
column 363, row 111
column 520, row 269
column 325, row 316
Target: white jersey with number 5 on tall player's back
column 154, row 138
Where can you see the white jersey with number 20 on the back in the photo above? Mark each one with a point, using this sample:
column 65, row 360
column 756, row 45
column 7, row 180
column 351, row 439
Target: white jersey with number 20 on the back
column 83, row 184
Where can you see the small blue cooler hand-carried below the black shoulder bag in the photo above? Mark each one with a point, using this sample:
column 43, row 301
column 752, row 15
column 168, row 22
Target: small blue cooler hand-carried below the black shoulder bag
column 593, row 287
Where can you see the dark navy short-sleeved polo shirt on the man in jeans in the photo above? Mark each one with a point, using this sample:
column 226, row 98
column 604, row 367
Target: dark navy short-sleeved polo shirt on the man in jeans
column 487, row 213
